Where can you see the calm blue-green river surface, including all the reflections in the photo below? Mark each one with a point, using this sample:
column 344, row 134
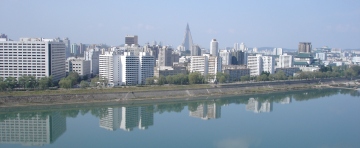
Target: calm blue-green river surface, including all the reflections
column 311, row 118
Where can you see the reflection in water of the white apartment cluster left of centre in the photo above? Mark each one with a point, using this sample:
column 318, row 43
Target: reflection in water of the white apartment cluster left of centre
column 127, row 118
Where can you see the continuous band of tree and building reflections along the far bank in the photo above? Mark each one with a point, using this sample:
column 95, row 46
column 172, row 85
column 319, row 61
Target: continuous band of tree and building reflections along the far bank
column 27, row 127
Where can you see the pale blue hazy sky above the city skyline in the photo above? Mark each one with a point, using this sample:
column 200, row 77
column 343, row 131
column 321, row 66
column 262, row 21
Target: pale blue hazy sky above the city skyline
column 257, row 23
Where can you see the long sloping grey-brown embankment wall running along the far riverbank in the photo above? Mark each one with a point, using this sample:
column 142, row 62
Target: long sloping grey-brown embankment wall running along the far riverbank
column 126, row 97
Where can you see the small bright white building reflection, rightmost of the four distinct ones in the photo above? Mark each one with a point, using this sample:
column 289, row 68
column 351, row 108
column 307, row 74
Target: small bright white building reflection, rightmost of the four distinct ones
column 258, row 107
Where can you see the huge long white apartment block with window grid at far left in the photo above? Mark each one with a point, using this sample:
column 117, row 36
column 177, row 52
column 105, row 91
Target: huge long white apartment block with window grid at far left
column 32, row 57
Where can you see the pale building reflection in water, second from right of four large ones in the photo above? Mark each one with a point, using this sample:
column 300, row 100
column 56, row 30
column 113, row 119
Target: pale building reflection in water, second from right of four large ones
column 207, row 111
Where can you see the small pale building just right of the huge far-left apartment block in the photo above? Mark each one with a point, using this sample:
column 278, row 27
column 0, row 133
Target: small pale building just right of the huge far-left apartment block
column 79, row 65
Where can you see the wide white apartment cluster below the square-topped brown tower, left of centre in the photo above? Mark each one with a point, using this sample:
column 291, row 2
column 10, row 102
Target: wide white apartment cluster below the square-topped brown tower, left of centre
column 126, row 69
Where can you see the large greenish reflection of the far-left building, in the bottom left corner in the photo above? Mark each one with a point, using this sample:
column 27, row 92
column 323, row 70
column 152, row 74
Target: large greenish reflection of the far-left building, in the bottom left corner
column 36, row 130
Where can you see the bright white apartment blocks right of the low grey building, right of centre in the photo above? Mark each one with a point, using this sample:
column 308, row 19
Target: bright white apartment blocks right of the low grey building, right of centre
column 259, row 63
